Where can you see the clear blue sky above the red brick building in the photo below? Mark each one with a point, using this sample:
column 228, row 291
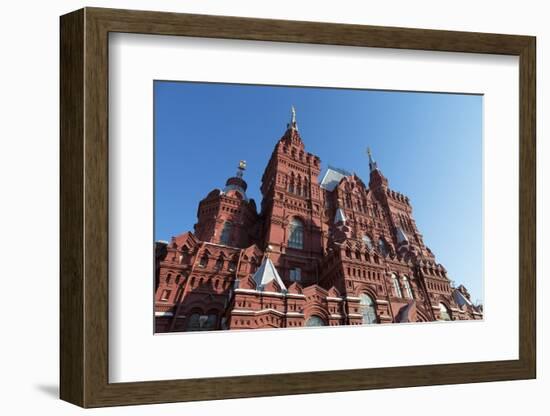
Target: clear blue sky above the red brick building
column 428, row 145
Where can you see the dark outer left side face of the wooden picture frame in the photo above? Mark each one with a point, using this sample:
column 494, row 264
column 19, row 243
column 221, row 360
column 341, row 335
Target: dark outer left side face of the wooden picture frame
column 71, row 101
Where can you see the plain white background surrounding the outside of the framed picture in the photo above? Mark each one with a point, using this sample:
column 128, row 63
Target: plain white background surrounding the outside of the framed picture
column 29, row 224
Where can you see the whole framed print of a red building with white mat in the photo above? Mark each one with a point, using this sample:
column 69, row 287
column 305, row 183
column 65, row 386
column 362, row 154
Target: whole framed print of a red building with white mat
column 256, row 207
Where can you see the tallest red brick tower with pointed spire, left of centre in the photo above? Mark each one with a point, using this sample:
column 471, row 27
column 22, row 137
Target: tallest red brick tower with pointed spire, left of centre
column 291, row 208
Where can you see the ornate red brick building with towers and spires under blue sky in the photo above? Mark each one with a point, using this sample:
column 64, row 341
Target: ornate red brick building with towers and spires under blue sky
column 322, row 251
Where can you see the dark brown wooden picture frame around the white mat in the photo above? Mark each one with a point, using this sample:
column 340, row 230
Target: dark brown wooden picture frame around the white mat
column 84, row 207
